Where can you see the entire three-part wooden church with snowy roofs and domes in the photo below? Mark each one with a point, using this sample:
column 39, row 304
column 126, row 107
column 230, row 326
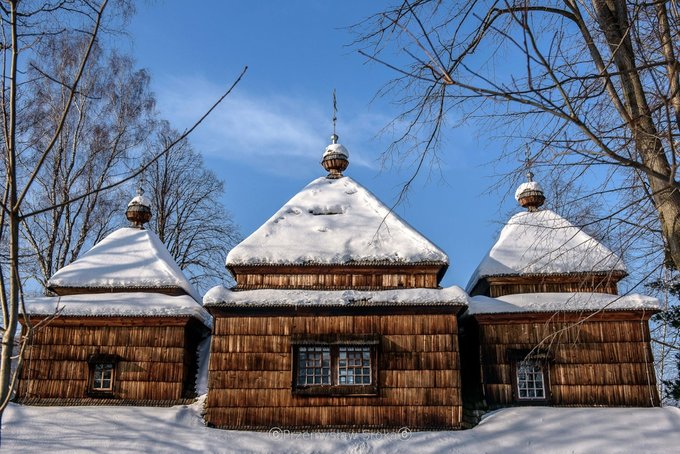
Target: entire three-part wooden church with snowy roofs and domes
column 338, row 321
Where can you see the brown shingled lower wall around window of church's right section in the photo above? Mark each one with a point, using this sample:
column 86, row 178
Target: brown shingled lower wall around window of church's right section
column 593, row 363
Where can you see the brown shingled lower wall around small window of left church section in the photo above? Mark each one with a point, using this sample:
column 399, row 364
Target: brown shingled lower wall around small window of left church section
column 151, row 366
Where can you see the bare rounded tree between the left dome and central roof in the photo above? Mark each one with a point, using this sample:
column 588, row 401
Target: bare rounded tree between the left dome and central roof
column 188, row 214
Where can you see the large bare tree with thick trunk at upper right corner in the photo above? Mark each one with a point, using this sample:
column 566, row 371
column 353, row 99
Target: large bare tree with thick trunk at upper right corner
column 592, row 86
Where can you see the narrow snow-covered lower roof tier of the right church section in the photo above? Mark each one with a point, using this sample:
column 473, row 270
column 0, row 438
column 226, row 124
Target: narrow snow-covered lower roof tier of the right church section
column 560, row 302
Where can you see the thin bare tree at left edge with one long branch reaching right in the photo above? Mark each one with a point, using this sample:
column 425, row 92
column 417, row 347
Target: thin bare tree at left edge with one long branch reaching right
column 24, row 24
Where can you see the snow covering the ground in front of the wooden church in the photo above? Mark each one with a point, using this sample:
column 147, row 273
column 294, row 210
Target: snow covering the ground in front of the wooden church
column 181, row 429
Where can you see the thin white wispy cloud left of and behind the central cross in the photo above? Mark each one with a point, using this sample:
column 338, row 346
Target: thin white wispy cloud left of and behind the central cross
column 251, row 127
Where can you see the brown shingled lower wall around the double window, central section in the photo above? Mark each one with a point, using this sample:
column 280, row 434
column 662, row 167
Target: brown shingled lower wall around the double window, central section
column 250, row 378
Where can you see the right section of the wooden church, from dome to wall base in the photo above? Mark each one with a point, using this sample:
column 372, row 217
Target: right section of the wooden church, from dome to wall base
column 546, row 324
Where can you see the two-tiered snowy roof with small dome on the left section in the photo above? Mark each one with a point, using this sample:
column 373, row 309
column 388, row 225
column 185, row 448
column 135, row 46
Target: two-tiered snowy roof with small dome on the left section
column 127, row 273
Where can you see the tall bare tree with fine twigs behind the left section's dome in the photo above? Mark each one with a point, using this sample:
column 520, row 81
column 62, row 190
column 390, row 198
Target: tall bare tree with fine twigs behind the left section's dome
column 111, row 116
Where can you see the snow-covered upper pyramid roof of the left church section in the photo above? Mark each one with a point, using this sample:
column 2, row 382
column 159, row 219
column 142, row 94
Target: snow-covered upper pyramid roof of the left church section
column 126, row 259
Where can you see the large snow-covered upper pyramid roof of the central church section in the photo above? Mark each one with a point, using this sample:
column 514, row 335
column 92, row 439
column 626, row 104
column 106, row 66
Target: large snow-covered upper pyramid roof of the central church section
column 335, row 221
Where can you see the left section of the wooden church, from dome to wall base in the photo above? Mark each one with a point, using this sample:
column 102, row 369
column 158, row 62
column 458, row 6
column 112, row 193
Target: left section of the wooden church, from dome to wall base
column 123, row 329
